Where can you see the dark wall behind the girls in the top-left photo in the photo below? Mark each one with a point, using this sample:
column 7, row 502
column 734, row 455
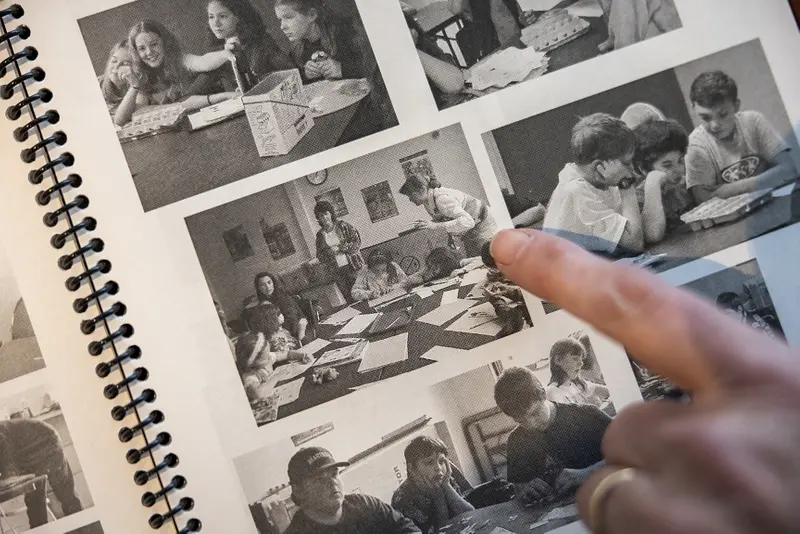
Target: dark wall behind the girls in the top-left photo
column 185, row 18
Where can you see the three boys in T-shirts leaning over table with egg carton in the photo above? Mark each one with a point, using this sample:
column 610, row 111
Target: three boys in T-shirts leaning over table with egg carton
column 630, row 183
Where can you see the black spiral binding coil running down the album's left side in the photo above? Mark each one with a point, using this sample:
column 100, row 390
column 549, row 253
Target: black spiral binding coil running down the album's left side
column 82, row 254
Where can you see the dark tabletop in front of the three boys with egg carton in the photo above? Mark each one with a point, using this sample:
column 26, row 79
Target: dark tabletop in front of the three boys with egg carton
column 683, row 247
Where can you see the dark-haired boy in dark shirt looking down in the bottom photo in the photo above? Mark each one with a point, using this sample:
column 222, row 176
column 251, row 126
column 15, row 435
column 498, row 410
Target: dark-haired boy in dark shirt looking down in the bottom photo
column 556, row 446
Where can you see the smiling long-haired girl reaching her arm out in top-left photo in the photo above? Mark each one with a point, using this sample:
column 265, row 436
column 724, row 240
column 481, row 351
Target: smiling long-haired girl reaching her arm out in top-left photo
column 161, row 73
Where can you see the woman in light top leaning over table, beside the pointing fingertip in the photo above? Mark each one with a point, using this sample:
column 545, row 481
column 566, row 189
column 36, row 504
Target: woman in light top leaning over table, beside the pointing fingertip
column 458, row 213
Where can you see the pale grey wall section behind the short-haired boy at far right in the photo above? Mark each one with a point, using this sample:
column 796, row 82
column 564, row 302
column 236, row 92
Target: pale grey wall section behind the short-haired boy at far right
column 747, row 64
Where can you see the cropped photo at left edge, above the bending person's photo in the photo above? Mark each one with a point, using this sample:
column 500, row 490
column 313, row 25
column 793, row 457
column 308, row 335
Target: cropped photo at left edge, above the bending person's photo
column 19, row 350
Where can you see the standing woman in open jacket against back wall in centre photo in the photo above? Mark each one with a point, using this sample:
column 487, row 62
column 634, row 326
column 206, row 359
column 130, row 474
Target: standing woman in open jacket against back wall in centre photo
column 338, row 247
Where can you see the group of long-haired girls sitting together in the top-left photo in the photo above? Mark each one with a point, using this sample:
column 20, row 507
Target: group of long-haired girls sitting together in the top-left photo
column 148, row 67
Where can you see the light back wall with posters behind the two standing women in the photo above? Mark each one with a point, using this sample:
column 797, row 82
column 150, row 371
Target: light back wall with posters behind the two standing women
column 452, row 162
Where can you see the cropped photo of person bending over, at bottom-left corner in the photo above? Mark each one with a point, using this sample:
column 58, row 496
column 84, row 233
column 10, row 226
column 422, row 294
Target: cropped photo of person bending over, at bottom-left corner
column 41, row 479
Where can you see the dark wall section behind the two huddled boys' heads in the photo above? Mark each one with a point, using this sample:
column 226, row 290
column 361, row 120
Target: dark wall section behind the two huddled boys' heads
column 535, row 150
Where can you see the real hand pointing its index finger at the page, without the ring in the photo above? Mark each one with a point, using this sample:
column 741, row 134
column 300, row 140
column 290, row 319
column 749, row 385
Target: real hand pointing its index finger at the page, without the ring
column 729, row 461
